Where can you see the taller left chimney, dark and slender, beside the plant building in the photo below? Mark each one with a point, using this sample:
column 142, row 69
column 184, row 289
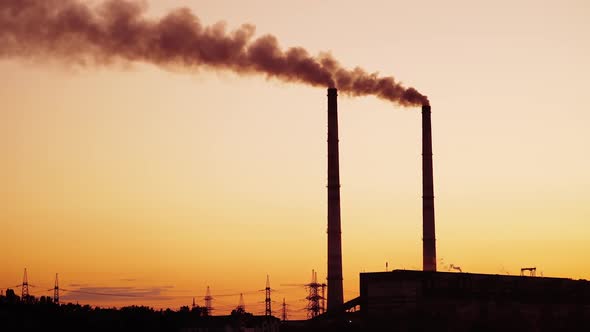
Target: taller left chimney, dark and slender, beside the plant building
column 335, row 293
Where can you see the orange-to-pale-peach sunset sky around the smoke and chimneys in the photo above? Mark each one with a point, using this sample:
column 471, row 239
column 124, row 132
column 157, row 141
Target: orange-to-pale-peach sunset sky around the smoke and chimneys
column 134, row 179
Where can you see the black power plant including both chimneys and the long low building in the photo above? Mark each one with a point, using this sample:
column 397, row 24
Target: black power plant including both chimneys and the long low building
column 404, row 300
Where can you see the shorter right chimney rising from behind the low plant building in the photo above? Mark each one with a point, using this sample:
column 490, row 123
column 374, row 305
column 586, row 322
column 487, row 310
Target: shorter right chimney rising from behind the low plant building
column 428, row 238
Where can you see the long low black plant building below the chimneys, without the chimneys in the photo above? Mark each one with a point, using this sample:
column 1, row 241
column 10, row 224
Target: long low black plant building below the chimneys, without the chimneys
column 407, row 300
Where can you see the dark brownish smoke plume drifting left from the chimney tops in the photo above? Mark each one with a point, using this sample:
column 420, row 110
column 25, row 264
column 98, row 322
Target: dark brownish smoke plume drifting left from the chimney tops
column 115, row 30
